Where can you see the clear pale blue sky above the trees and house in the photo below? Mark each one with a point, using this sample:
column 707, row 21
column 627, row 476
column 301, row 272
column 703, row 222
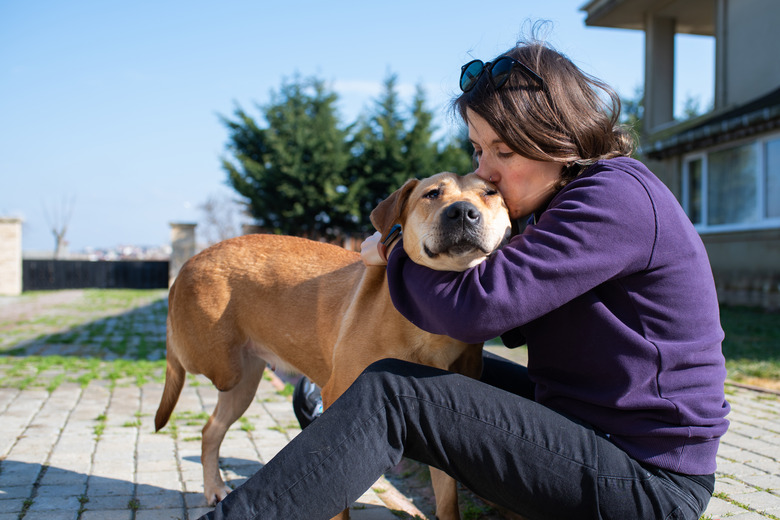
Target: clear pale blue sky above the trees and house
column 112, row 108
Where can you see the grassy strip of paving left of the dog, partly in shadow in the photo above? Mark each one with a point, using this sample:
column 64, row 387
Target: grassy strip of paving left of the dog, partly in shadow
column 97, row 328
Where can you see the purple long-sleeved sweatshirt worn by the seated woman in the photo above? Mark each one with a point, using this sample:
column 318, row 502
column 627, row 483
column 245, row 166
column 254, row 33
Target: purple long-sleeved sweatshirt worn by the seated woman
column 613, row 293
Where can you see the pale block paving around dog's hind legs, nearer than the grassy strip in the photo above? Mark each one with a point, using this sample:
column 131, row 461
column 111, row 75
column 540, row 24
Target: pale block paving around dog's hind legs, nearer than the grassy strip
column 91, row 453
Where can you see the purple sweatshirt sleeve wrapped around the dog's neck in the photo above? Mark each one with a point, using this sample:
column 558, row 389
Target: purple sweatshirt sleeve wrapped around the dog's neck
column 599, row 227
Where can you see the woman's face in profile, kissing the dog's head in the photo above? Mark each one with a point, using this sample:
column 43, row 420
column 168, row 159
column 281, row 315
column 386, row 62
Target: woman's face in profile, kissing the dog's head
column 525, row 184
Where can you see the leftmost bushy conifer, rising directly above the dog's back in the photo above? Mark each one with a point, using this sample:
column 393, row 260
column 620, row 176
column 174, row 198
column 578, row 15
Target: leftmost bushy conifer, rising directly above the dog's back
column 292, row 171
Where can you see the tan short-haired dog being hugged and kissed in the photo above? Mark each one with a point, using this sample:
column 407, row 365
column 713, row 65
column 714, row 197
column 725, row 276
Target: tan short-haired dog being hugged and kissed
column 317, row 309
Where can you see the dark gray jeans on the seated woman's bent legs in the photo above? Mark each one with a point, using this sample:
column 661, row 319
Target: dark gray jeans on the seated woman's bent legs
column 502, row 445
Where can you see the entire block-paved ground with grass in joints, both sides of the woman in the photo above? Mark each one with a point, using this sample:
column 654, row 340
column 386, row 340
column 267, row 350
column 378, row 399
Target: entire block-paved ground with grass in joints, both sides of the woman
column 77, row 441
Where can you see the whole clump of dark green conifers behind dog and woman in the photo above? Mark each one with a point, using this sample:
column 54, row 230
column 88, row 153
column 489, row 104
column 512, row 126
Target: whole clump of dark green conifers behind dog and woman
column 304, row 174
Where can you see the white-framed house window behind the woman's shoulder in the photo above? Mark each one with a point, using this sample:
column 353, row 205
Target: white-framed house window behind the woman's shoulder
column 734, row 187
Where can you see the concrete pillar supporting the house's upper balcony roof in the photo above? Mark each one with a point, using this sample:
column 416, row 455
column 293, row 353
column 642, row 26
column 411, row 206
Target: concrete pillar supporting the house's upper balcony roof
column 659, row 71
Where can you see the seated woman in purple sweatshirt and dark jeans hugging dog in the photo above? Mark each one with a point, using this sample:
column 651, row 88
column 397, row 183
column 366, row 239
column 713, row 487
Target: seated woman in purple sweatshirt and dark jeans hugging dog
column 619, row 412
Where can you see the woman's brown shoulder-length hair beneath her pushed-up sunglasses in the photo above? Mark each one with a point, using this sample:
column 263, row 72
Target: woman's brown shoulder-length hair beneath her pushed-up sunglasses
column 566, row 120
